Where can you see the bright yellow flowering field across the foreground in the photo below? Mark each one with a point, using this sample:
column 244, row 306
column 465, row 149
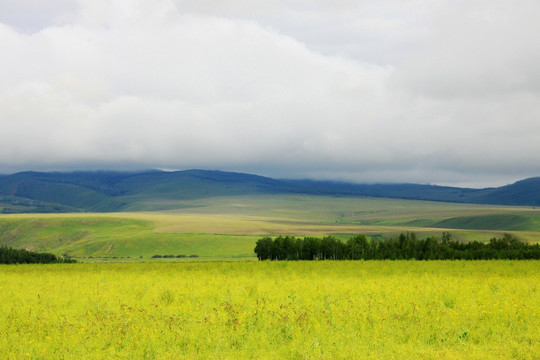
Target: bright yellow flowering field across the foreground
column 270, row 310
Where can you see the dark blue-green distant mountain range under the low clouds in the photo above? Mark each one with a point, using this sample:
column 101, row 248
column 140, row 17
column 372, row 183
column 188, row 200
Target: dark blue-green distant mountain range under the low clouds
column 105, row 191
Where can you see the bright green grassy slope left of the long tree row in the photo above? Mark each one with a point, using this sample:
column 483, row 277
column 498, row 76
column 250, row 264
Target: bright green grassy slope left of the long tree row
column 102, row 236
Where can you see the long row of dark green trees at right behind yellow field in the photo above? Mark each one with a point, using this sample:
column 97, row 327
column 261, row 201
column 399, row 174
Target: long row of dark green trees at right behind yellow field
column 406, row 246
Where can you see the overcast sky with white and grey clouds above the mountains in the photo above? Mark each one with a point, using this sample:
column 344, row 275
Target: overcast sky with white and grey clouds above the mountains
column 440, row 91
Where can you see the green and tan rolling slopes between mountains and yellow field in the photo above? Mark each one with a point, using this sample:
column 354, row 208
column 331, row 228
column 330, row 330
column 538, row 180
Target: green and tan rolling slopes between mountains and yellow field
column 227, row 227
